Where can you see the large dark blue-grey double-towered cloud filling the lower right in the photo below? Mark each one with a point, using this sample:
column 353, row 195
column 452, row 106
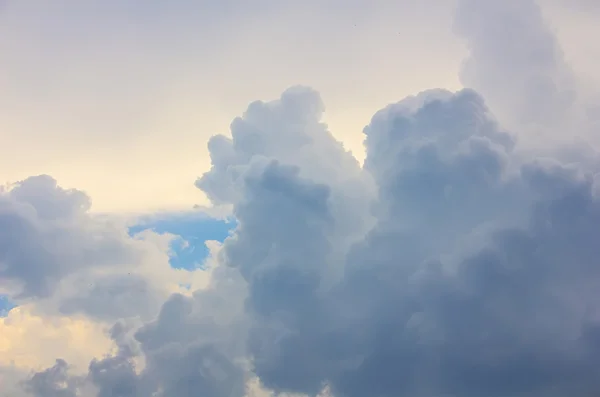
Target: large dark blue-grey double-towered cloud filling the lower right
column 412, row 316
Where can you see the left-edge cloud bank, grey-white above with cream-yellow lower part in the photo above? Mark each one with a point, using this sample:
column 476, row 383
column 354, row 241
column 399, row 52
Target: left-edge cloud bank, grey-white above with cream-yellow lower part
column 72, row 274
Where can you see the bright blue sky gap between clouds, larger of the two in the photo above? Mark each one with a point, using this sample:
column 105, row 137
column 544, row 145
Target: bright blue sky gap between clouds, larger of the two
column 194, row 229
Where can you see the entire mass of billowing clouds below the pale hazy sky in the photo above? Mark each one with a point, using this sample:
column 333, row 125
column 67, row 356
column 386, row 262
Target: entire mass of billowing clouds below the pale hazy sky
column 457, row 261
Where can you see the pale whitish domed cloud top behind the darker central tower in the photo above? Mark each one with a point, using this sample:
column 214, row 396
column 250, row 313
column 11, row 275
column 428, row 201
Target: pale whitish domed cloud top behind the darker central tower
column 289, row 131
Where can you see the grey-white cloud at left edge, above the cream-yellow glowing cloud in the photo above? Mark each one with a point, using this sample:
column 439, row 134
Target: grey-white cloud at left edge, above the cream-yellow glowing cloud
column 52, row 249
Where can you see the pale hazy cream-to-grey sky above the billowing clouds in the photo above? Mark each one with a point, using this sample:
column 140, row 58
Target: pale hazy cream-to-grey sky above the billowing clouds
column 119, row 97
